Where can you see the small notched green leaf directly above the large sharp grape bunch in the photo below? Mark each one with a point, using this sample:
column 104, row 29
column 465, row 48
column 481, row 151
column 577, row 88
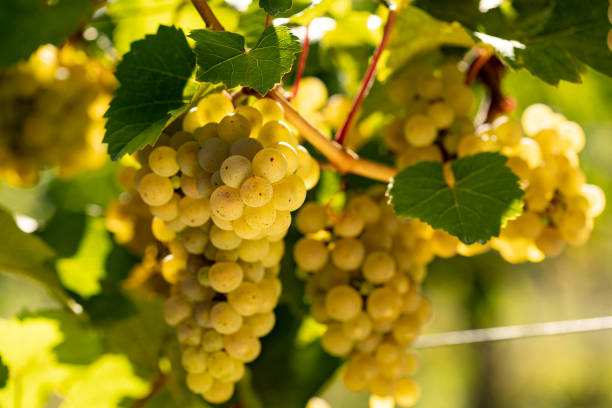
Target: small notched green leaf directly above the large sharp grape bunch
column 222, row 57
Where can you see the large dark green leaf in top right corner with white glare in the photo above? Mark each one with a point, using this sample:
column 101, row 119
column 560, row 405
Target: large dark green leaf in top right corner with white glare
column 552, row 39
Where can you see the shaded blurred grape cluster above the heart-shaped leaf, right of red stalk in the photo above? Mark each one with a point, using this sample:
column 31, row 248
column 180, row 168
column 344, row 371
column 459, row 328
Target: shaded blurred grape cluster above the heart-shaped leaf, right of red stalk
column 436, row 105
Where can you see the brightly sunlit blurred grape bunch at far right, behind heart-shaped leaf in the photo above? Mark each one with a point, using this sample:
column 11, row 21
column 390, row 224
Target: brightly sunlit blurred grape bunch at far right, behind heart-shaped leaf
column 559, row 205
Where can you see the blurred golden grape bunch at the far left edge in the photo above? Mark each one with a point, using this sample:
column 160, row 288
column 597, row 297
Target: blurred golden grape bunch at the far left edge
column 52, row 114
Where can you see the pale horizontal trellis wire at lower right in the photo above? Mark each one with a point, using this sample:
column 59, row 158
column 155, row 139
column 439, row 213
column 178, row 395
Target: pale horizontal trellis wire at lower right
column 513, row 332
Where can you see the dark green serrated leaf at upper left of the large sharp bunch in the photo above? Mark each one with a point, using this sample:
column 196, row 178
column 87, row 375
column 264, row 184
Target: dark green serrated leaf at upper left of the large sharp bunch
column 152, row 78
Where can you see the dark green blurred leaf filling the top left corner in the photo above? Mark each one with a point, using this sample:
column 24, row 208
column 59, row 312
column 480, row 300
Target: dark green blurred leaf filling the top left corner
column 27, row 24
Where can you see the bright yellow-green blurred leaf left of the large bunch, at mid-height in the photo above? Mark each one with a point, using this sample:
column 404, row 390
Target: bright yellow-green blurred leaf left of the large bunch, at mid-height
column 82, row 272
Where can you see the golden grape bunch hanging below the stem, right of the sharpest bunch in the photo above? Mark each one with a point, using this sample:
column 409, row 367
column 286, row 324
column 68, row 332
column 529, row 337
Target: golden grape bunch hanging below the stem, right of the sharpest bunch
column 364, row 270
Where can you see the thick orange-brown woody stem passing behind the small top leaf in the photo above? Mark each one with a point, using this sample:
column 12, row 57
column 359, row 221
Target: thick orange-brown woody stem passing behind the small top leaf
column 344, row 160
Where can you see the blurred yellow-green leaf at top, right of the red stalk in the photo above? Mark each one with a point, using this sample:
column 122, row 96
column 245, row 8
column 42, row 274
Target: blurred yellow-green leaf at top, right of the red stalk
column 415, row 32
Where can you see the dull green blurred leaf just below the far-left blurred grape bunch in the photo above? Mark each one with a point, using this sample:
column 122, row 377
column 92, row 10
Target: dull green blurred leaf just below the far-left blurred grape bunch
column 97, row 187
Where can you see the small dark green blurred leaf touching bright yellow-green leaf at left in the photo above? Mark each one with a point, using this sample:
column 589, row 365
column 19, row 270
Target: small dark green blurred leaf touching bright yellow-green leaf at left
column 64, row 231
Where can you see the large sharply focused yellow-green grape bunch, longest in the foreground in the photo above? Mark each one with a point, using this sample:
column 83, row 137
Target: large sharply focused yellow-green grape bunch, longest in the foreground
column 221, row 190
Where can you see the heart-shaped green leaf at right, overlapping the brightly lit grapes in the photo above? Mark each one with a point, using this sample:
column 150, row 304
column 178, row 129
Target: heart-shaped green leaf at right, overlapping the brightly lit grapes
column 472, row 209
